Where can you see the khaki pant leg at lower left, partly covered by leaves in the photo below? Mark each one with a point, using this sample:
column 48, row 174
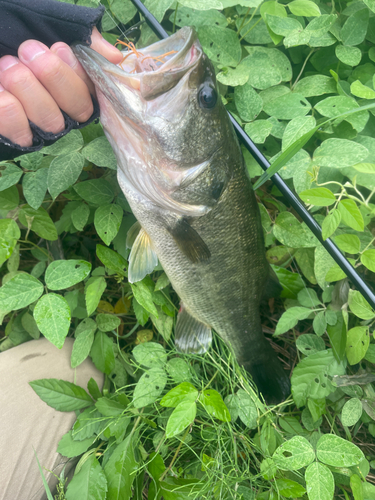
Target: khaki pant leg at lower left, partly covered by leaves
column 27, row 423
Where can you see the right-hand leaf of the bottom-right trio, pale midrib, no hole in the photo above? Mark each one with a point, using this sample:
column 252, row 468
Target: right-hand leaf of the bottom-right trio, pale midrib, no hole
column 337, row 452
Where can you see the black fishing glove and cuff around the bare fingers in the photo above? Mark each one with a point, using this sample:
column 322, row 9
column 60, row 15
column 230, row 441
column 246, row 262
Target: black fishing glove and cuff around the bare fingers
column 48, row 21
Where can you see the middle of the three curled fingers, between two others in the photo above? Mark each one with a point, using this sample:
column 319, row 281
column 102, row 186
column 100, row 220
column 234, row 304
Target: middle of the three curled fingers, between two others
column 39, row 106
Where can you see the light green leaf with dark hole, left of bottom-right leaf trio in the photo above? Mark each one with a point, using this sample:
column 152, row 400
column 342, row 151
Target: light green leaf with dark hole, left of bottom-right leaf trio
column 294, row 454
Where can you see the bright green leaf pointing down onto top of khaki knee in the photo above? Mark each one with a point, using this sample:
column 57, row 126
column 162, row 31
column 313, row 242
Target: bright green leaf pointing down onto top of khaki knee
column 52, row 315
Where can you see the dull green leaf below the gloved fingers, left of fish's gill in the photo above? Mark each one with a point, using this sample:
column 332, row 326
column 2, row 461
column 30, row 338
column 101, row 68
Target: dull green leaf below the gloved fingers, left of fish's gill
column 63, row 172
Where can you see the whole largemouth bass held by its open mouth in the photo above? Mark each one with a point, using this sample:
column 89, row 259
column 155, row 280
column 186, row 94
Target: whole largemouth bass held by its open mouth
column 182, row 171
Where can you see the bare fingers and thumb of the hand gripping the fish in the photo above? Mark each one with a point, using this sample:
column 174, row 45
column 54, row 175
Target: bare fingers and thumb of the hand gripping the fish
column 40, row 82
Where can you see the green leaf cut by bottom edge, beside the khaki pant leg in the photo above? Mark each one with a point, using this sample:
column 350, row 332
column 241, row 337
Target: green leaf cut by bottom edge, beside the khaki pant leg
column 90, row 483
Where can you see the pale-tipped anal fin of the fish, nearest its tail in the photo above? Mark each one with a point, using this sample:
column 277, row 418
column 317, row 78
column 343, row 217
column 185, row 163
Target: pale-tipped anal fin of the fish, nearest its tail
column 191, row 335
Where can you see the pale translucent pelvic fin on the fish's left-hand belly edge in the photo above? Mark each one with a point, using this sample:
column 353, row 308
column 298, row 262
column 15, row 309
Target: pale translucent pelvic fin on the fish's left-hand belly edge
column 142, row 258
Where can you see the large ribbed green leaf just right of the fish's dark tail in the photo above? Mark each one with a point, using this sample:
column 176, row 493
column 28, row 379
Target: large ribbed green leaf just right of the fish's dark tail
column 310, row 376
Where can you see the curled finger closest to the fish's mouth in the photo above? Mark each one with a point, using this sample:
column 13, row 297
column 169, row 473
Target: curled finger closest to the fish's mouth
column 64, row 85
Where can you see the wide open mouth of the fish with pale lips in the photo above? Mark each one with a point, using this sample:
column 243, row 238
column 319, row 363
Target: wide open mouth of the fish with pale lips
column 148, row 72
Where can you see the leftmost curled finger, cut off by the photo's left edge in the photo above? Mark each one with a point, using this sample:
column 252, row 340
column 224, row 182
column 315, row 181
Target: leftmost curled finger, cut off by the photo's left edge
column 13, row 120
